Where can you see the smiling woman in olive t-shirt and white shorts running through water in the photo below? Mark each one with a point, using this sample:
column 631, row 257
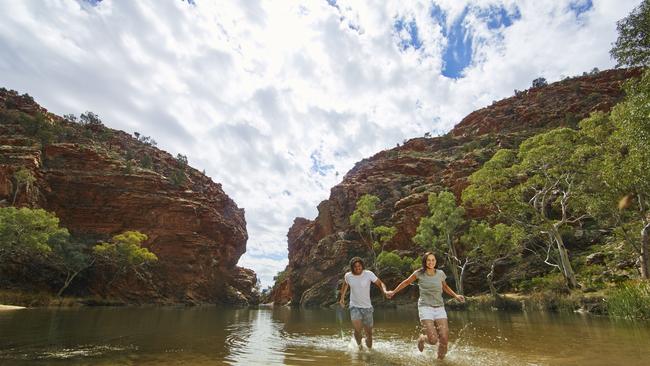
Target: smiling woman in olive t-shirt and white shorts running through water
column 431, row 307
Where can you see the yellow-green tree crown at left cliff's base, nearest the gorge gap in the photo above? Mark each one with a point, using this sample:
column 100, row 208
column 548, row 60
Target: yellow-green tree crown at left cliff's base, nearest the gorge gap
column 125, row 250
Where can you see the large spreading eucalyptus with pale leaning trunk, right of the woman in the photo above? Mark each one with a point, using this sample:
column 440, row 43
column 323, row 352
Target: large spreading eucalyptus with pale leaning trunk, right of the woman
column 538, row 187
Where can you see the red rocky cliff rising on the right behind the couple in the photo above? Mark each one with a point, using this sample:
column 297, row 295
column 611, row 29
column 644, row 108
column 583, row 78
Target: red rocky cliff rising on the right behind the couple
column 404, row 176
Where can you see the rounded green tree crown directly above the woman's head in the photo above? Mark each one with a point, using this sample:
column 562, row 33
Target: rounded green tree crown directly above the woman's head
column 436, row 231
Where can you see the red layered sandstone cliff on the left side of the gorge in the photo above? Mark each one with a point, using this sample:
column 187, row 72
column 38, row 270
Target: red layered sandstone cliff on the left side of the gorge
column 92, row 178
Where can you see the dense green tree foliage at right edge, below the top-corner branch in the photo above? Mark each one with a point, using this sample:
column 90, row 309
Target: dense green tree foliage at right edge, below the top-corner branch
column 619, row 167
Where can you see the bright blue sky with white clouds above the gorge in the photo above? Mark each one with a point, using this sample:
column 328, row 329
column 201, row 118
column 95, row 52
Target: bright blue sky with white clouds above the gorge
column 277, row 100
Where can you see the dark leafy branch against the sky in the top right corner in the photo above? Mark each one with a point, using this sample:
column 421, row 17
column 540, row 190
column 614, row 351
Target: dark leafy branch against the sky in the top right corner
column 632, row 47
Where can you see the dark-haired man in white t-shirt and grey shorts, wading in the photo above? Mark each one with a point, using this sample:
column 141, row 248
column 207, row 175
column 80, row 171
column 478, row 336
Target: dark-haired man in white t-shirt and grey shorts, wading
column 359, row 281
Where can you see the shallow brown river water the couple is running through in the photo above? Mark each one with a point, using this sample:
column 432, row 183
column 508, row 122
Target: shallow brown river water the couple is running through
column 217, row 336
